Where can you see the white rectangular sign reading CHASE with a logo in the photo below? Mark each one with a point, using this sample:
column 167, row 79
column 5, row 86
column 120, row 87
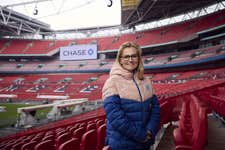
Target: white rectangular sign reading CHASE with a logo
column 78, row 52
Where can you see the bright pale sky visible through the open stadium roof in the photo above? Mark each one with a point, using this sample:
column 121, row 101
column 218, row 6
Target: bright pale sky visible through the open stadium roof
column 69, row 14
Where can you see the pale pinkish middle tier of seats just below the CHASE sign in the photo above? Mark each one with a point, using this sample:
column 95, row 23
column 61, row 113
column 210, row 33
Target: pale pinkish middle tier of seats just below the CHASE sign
column 149, row 60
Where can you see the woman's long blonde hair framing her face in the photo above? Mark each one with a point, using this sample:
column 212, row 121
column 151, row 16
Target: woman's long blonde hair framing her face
column 140, row 67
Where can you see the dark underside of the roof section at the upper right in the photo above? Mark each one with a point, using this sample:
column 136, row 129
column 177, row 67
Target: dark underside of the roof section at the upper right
column 143, row 11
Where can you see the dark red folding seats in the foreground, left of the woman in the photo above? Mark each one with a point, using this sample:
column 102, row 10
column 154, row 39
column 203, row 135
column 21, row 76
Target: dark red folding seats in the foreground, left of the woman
column 85, row 136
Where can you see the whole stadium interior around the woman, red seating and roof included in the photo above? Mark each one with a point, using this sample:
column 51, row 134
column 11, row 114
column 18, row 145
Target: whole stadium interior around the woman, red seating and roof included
column 184, row 59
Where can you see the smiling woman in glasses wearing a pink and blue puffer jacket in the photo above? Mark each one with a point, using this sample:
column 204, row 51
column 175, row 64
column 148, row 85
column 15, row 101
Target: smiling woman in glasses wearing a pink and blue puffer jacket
column 132, row 109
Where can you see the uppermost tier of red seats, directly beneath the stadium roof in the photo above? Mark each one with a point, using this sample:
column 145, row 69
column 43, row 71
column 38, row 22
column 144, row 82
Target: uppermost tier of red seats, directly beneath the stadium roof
column 165, row 34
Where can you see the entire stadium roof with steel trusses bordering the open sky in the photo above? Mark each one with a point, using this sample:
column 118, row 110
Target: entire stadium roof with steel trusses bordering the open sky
column 133, row 12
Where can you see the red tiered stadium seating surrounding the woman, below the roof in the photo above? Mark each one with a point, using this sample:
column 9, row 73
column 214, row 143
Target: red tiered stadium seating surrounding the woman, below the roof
column 185, row 62
